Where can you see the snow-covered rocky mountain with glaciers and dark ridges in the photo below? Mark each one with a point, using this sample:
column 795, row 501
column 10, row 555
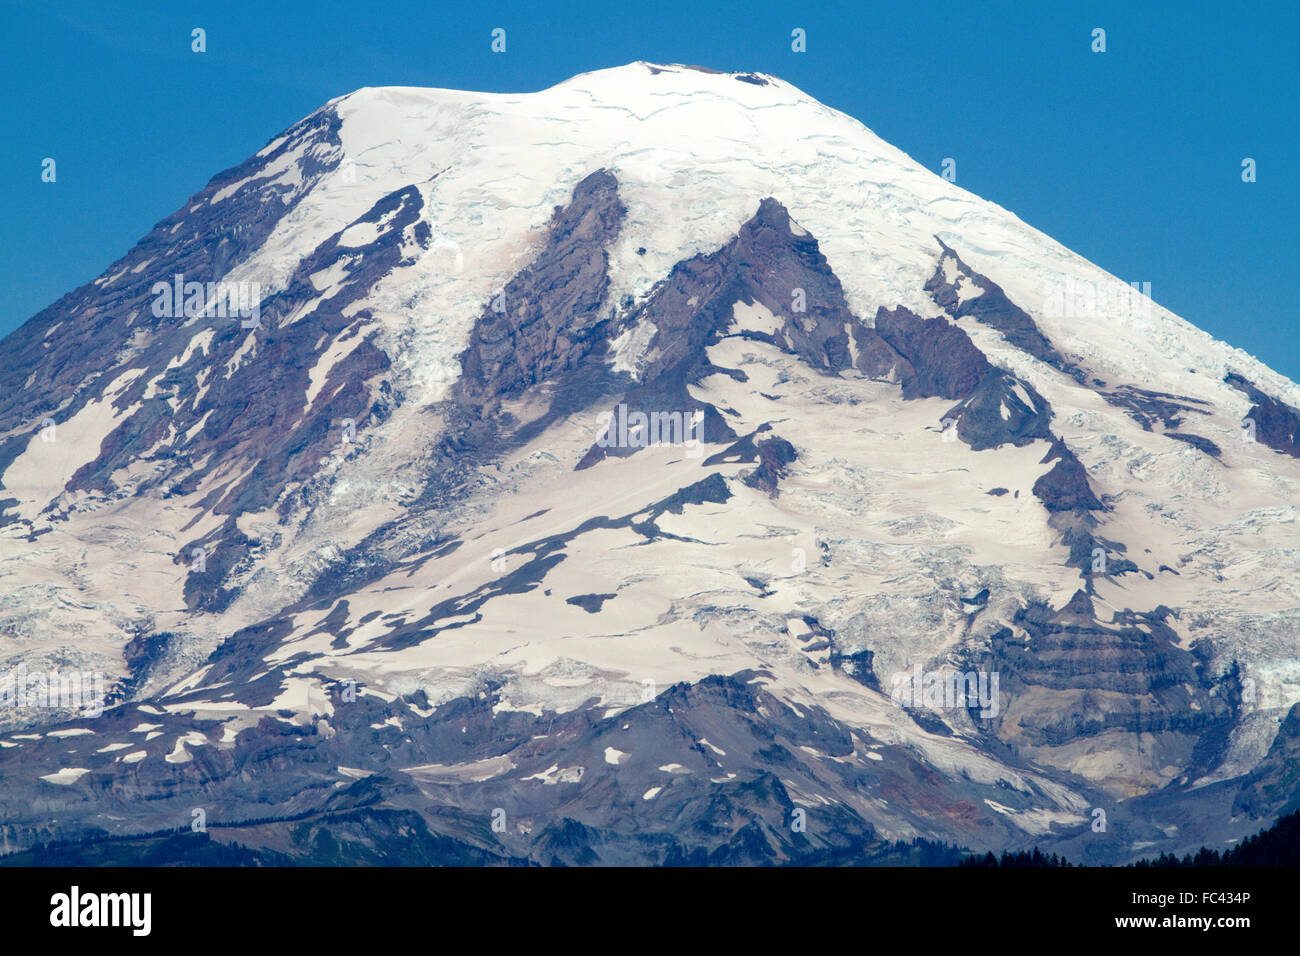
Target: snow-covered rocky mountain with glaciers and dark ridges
column 656, row 469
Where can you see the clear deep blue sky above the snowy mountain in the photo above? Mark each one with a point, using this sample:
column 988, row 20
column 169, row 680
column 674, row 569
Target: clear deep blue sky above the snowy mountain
column 1132, row 158
